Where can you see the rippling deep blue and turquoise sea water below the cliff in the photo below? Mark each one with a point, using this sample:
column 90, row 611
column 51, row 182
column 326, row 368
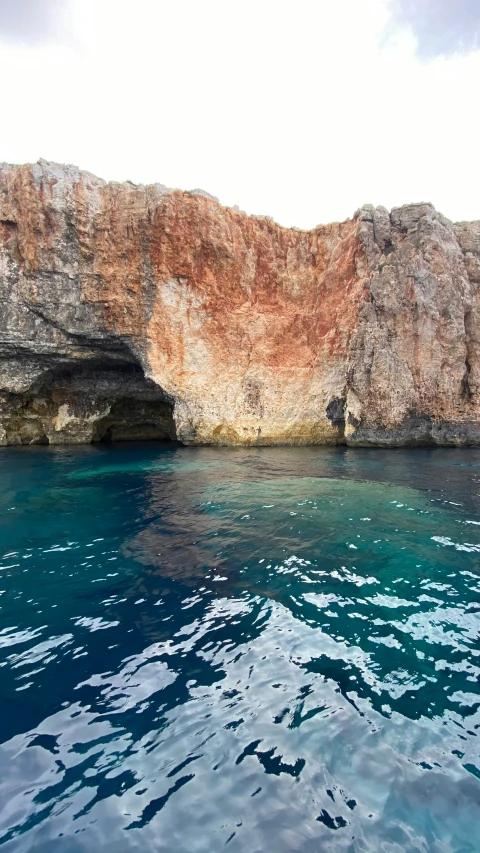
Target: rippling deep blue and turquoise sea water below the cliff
column 251, row 650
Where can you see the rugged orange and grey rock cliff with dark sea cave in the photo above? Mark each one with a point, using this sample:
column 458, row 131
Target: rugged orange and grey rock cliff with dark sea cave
column 140, row 312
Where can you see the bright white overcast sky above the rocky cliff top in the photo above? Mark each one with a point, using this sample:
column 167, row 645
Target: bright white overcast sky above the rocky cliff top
column 299, row 109
